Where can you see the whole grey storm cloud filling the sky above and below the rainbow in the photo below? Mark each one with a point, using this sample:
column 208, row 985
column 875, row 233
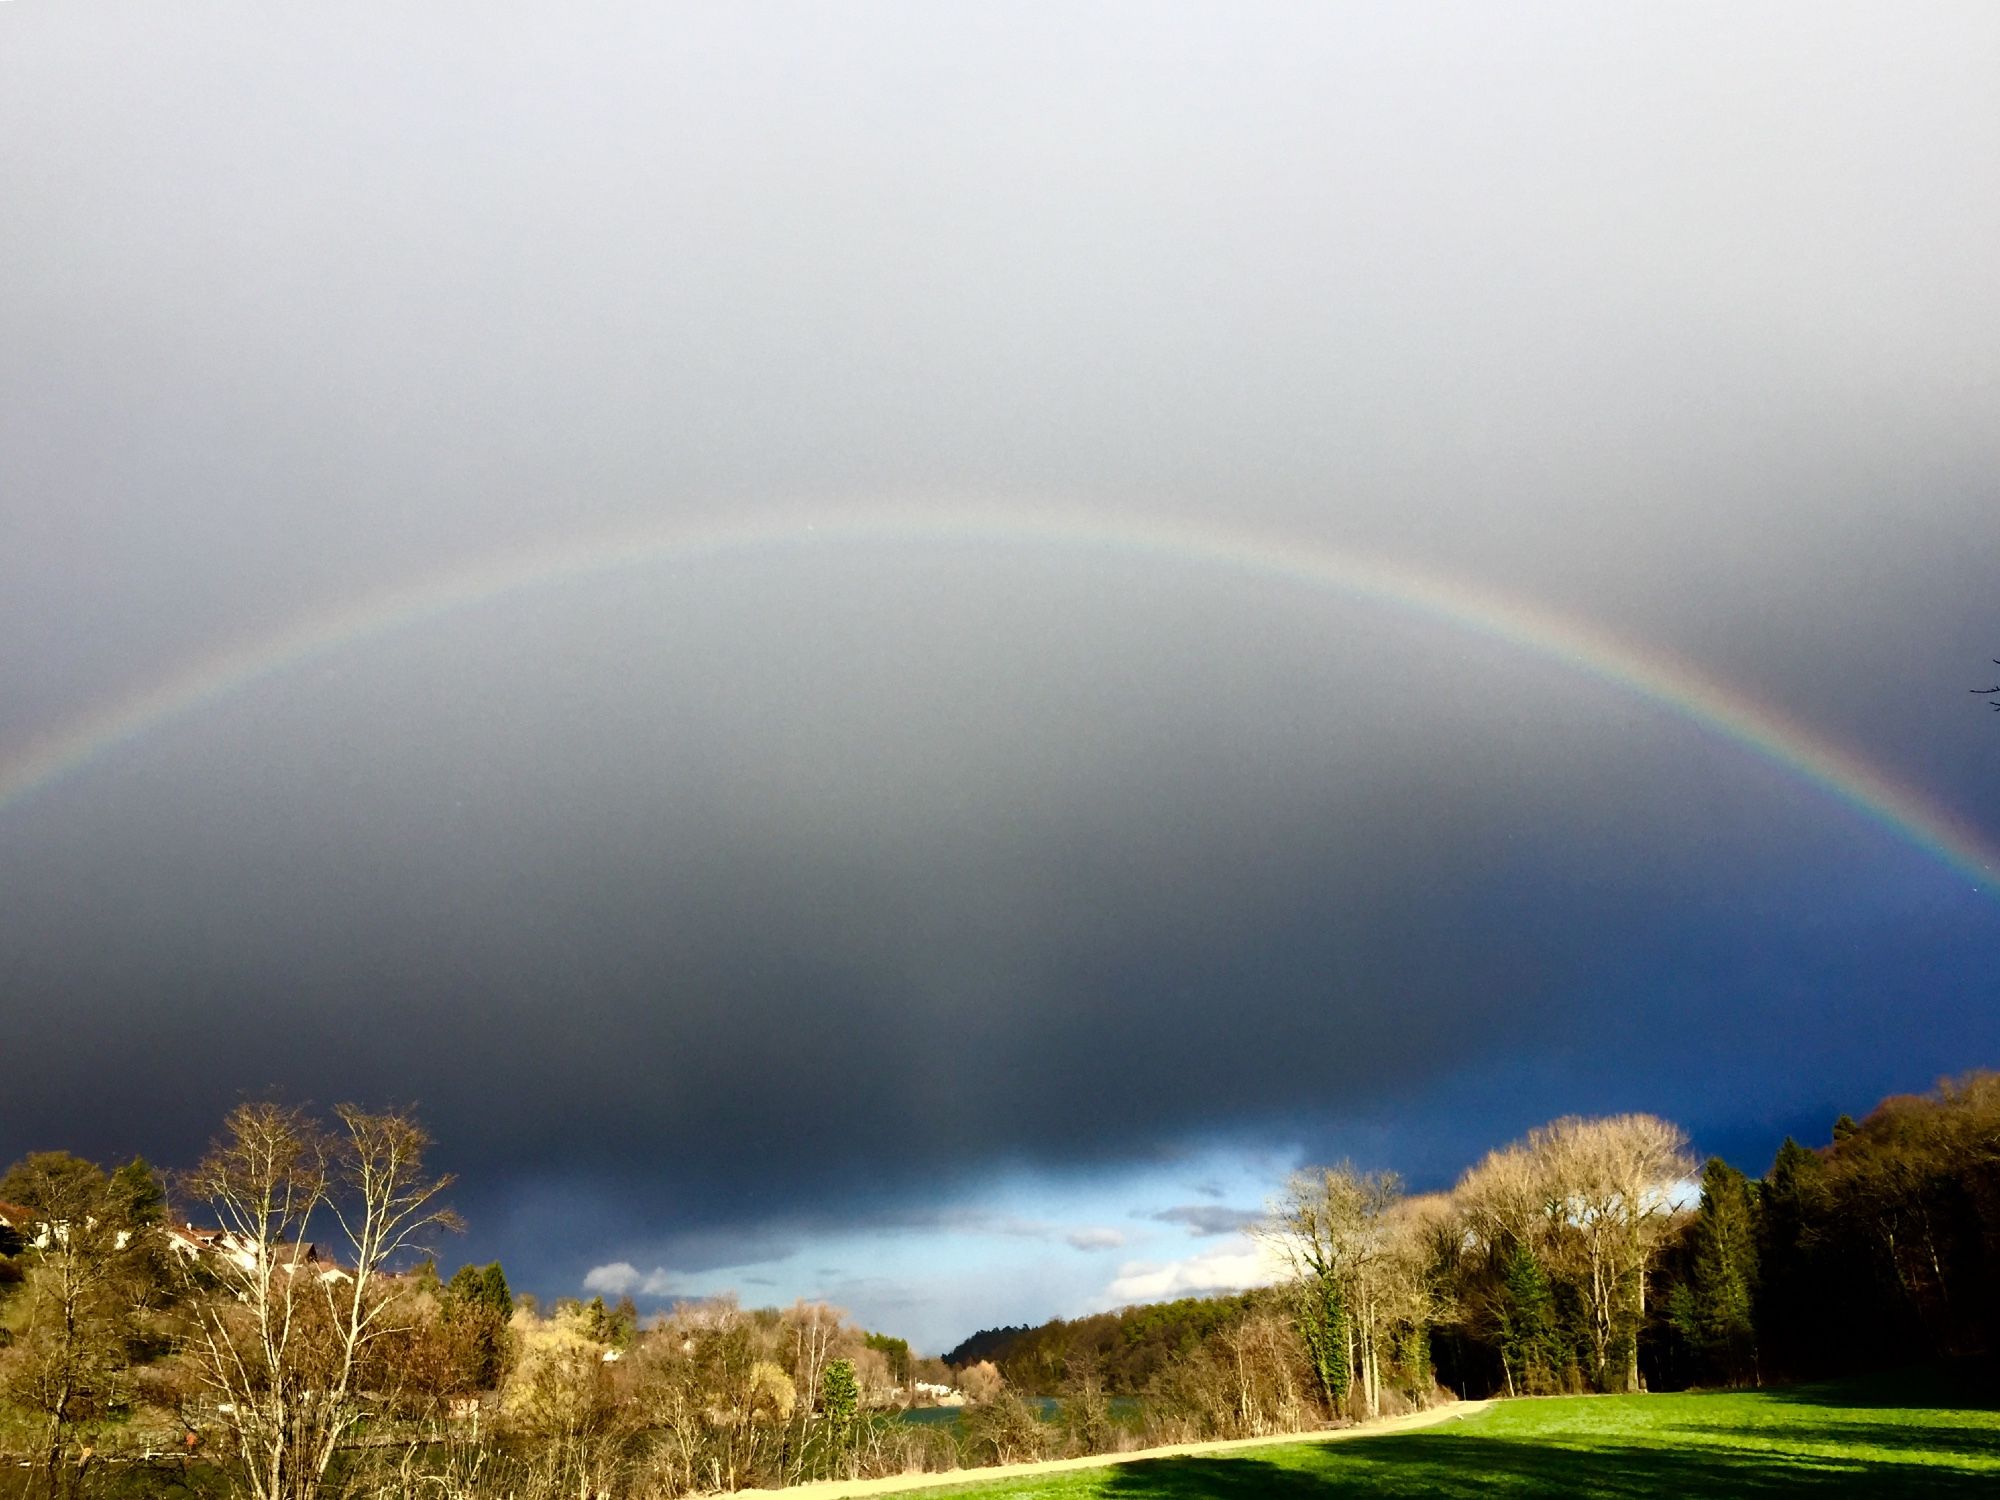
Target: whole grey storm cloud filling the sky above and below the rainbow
column 711, row 907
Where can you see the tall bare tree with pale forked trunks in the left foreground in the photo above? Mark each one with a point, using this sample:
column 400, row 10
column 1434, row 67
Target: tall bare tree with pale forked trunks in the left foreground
column 287, row 1349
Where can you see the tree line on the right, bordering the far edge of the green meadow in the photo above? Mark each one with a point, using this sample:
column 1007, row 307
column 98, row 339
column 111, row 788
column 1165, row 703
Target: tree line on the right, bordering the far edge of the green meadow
column 1591, row 1255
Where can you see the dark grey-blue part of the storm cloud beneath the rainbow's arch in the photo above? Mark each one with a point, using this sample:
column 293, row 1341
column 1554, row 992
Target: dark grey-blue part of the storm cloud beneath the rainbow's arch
column 877, row 919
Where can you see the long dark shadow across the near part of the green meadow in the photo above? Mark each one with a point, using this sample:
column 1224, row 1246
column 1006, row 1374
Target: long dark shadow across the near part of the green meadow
column 1449, row 1467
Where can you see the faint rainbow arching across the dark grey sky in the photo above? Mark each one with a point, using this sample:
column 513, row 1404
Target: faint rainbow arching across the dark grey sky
column 1489, row 613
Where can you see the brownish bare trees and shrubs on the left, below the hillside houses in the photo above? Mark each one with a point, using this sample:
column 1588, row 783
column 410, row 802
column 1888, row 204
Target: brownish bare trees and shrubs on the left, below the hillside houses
column 285, row 1335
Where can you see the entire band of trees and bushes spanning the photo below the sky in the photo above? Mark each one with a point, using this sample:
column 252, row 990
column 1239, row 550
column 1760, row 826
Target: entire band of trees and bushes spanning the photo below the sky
column 217, row 1341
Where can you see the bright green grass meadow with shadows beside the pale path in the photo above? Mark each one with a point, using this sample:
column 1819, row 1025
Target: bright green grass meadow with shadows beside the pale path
column 1915, row 1435
